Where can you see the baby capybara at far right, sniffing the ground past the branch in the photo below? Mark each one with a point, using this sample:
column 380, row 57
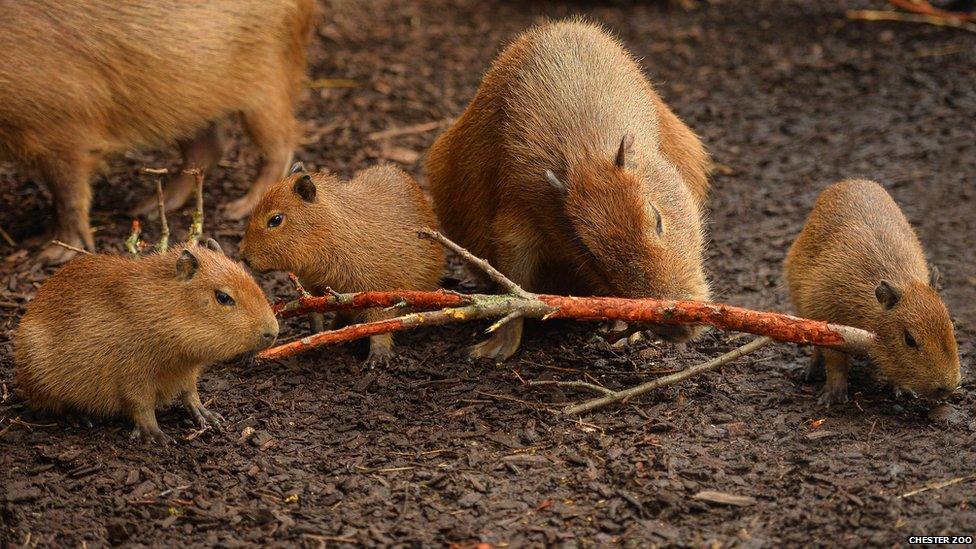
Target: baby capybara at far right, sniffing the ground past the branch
column 858, row 262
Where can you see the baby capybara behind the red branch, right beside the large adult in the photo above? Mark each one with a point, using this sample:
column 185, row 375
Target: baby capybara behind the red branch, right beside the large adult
column 350, row 236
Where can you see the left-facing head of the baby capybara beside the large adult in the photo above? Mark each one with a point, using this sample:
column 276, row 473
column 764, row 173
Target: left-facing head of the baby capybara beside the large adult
column 289, row 223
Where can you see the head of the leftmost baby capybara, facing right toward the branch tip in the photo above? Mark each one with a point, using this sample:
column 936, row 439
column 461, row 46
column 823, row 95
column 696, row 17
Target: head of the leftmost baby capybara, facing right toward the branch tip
column 220, row 309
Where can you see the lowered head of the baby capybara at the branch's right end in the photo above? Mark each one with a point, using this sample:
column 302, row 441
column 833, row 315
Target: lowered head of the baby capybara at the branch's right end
column 915, row 344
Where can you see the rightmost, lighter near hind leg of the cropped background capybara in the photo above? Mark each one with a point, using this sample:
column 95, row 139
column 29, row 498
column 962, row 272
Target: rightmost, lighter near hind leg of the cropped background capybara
column 273, row 130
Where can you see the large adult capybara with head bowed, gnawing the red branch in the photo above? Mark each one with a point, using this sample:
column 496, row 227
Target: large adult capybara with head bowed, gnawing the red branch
column 569, row 174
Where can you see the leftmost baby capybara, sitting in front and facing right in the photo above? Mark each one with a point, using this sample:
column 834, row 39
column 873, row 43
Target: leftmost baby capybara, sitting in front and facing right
column 109, row 335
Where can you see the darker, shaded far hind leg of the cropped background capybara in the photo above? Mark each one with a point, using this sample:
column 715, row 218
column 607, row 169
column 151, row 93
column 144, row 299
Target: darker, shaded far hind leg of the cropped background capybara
column 201, row 152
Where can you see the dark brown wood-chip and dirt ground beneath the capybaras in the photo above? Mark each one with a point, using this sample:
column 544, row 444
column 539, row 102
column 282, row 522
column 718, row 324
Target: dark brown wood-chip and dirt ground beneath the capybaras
column 788, row 96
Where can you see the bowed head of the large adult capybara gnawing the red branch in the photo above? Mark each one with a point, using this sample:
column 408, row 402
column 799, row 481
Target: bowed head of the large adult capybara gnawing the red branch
column 637, row 229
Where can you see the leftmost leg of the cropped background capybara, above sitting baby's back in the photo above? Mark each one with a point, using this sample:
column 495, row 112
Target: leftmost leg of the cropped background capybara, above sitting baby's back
column 68, row 179
